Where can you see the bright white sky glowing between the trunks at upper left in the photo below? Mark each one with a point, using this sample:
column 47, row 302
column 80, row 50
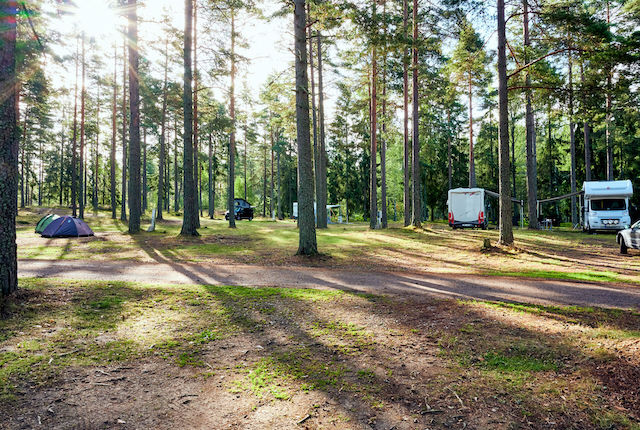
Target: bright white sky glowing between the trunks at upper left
column 267, row 41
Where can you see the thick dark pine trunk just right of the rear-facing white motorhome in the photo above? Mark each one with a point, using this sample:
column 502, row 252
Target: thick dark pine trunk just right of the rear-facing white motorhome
column 506, row 210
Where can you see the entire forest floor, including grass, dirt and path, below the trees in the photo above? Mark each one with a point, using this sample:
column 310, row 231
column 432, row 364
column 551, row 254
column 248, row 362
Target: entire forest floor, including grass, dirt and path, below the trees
column 169, row 352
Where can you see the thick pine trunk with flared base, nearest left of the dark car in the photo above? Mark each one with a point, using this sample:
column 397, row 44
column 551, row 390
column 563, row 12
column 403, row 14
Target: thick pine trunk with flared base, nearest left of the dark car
column 190, row 216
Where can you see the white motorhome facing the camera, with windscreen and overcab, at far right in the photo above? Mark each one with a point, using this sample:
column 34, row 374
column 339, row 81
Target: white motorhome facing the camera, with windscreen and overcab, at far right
column 606, row 205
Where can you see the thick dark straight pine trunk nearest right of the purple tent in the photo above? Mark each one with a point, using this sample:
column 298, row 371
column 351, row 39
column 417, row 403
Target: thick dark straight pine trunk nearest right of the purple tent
column 134, row 122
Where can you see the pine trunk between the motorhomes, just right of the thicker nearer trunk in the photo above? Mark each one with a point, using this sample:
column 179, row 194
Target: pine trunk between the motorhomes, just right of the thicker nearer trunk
column 532, row 169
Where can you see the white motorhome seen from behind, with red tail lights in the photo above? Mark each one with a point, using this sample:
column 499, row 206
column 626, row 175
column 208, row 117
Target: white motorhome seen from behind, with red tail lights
column 467, row 208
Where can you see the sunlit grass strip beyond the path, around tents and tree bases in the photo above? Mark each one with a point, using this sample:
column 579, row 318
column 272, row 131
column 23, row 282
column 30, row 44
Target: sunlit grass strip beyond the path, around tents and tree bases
column 559, row 254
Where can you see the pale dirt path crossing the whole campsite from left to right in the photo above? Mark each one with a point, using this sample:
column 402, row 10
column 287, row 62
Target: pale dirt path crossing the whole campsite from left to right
column 547, row 292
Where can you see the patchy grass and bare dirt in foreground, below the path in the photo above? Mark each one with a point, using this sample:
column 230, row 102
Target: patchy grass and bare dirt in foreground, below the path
column 109, row 354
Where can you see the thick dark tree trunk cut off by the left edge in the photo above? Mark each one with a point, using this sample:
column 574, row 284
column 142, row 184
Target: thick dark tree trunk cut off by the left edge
column 9, row 143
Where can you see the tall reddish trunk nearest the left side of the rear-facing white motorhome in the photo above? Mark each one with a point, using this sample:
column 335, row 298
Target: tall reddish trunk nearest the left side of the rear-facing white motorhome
column 416, row 201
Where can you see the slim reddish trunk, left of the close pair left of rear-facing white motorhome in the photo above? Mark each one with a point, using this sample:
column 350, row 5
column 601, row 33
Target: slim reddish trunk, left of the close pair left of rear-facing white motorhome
column 405, row 119
